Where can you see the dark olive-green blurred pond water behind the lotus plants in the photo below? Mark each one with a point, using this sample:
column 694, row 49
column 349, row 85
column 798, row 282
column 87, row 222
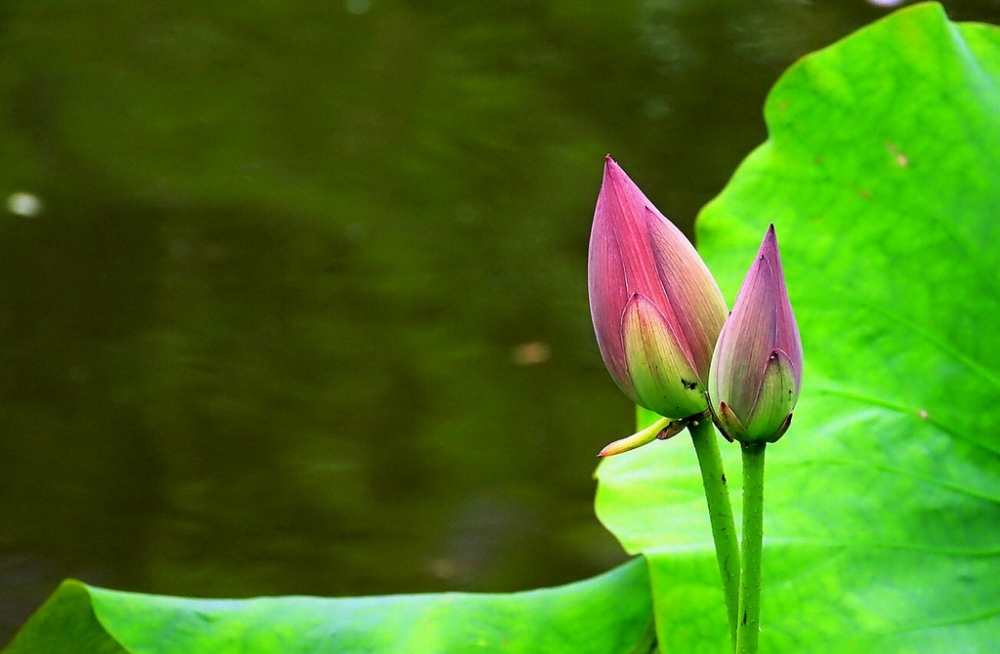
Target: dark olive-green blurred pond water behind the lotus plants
column 293, row 294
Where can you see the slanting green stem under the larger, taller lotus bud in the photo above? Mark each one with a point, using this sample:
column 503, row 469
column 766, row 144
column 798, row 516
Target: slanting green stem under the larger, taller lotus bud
column 720, row 512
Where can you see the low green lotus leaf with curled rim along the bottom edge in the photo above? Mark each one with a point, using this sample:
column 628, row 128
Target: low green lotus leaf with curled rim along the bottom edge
column 609, row 613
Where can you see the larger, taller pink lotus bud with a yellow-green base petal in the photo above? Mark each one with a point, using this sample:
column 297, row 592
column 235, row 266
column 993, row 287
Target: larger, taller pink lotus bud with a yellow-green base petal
column 657, row 310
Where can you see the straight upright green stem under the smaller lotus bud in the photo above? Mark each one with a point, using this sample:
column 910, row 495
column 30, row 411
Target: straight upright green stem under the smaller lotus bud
column 753, row 538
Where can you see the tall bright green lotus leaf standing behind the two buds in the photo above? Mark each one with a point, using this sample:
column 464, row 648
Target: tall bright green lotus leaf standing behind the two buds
column 882, row 515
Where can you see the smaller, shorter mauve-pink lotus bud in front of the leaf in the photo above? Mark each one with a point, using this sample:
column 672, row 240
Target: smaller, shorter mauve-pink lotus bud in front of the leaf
column 757, row 367
